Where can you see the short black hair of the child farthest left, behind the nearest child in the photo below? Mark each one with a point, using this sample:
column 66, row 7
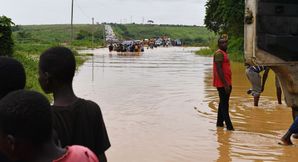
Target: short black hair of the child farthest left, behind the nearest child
column 12, row 74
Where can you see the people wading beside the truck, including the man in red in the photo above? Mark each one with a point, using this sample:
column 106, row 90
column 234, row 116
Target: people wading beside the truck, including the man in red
column 222, row 81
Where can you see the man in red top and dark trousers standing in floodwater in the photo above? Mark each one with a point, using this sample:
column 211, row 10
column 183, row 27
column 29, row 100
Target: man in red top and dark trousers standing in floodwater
column 222, row 80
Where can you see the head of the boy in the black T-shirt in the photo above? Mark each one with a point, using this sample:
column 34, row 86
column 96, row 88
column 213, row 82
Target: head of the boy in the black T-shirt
column 56, row 66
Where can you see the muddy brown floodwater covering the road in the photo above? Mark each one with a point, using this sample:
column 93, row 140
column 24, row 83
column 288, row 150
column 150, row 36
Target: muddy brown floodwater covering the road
column 160, row 106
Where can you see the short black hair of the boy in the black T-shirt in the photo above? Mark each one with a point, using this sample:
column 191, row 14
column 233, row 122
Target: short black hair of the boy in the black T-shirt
column 59, row 62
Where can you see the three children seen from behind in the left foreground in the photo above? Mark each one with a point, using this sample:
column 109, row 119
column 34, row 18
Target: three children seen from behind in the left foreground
column 72, row 129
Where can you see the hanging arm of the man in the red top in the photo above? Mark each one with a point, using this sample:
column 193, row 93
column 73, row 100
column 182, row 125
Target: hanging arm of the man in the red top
column 218, row 59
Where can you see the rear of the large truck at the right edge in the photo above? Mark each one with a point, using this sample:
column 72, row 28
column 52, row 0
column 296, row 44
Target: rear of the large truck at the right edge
column 271, row 39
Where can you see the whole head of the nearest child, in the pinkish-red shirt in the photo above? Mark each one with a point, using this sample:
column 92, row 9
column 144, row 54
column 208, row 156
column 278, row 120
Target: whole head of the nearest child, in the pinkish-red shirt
column 25, row 123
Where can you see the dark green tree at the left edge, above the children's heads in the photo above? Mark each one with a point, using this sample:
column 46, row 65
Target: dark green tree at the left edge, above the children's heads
column 6, row 41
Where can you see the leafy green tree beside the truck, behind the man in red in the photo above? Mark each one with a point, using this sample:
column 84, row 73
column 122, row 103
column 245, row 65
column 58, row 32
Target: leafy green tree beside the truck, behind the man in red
column 226, row 17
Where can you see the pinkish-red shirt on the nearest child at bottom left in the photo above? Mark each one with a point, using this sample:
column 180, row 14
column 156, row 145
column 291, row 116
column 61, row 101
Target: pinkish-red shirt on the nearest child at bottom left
column 77, row 153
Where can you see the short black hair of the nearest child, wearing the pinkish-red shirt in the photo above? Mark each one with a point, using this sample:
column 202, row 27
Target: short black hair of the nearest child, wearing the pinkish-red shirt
column 26, row 115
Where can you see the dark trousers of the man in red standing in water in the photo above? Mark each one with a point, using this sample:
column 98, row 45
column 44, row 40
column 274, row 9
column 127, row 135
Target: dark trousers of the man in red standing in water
column 223, row 109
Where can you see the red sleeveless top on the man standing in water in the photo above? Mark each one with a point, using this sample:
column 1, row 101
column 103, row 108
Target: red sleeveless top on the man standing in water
column 225, row 68
